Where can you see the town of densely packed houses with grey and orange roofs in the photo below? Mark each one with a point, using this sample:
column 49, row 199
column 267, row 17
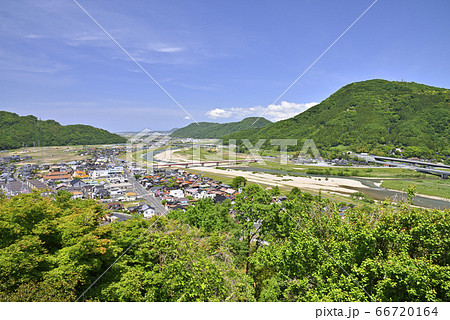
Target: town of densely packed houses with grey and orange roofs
column 123, row 187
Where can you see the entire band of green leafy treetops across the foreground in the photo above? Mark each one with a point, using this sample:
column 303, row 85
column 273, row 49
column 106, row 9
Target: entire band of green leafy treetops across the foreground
column 53, row 248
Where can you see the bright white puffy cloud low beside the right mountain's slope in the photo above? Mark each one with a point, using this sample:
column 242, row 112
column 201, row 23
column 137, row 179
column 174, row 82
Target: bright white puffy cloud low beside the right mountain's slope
column 273, row 112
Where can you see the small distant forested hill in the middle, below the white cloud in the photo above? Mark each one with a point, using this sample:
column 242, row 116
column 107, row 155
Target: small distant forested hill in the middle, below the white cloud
column 205, row 130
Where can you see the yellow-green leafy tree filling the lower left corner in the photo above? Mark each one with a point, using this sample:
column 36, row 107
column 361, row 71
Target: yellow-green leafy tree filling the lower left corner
column 49, row 248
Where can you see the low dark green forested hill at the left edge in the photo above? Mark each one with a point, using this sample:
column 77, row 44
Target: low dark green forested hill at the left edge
column 16, row 131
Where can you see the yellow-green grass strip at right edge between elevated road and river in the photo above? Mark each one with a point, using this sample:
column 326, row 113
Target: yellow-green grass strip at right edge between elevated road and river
column 431, row 187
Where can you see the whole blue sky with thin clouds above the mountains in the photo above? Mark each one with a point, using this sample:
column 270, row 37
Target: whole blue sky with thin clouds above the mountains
column 221, row 60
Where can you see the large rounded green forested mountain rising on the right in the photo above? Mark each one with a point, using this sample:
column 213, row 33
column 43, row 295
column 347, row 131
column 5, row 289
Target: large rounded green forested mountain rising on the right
column 371, row 116
